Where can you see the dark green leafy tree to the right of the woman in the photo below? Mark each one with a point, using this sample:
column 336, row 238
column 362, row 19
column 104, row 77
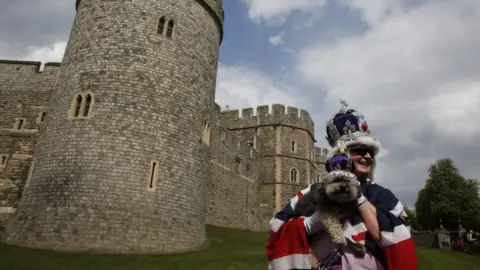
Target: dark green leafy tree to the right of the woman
column 448, row 196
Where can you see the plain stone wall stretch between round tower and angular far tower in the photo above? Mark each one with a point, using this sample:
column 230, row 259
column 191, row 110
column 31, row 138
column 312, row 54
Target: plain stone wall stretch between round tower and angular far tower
column 233, row 186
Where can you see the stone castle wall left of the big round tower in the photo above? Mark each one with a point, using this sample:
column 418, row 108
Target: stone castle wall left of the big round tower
column 24, row 95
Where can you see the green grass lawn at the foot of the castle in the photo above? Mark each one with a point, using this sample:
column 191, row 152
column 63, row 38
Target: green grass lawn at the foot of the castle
column 229, row 250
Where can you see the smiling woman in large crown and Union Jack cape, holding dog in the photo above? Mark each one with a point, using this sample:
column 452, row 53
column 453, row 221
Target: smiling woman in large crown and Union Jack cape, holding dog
column 379, row 222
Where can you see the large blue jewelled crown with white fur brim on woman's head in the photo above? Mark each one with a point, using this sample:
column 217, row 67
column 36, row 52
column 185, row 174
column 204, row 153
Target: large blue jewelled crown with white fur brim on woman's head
column 348, row 127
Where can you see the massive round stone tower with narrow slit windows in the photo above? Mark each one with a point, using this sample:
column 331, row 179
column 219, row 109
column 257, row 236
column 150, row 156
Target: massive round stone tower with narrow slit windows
column 120, row 166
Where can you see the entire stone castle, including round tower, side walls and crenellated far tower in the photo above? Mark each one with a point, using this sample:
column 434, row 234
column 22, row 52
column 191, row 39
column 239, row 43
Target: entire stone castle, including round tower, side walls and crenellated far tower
column 121, row 148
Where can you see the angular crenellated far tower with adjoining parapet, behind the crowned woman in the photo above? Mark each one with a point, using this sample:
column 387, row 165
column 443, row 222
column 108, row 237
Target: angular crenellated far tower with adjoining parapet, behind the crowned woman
column 285, row 141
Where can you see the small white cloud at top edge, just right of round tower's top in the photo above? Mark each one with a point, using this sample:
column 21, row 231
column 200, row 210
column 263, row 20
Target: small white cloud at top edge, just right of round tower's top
column 277, row 11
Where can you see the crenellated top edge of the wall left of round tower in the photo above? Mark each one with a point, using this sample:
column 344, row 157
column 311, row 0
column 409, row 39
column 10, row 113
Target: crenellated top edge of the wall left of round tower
column 24, row 67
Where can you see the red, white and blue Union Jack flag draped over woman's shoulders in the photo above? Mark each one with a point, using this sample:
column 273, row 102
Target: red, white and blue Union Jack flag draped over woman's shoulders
column 288, row 249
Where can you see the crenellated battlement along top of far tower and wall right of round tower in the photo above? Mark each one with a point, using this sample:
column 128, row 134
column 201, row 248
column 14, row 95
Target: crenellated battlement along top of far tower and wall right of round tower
column 267, row 115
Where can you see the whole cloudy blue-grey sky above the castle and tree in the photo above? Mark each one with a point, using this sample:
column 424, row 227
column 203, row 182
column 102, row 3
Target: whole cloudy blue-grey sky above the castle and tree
column 412, row 67
